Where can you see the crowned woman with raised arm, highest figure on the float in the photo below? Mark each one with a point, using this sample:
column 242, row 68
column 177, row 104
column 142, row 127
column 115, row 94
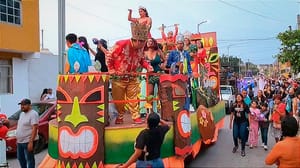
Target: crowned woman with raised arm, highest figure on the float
column 144, row 18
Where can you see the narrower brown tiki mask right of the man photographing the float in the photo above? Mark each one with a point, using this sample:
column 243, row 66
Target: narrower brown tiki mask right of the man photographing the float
column 174, row 105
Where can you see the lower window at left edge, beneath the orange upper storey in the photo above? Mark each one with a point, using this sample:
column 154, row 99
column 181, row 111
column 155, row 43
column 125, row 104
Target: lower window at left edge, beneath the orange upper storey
column 6, row 76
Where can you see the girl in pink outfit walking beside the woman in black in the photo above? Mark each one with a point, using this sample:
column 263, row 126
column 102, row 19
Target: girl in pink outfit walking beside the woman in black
column 253, row 117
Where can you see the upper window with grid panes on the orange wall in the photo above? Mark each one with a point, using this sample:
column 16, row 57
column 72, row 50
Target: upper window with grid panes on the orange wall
column 10, row 11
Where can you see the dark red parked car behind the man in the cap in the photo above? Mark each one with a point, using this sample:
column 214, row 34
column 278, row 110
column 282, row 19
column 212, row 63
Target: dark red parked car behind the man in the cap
column 47, row 112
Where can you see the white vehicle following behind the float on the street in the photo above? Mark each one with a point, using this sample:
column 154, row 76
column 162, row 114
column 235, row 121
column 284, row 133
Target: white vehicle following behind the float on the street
column 227, row 94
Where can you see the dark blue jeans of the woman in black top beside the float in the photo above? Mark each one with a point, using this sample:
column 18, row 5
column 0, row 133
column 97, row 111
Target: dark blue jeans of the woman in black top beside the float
column 240, row 131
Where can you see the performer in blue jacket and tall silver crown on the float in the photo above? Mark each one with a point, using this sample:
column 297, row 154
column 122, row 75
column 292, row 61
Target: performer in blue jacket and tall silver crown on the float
column 179, row 62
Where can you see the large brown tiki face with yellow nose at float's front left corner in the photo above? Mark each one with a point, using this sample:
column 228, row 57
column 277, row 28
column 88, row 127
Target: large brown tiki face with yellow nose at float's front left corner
column 82, row 114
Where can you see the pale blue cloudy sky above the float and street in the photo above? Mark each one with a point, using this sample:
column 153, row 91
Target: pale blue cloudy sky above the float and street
column 246, row 29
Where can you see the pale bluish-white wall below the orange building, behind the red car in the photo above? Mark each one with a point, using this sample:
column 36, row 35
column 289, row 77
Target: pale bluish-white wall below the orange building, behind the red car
column 31, row 74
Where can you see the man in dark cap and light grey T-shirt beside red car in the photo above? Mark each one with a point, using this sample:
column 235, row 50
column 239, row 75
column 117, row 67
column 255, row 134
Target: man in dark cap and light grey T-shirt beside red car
column 27, row 135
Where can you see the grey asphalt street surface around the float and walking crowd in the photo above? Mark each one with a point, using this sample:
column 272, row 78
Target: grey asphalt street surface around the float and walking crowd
column 217, row 155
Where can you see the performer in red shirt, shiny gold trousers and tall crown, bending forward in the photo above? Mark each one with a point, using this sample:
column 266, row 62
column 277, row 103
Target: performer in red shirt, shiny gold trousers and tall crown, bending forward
column 123, row 61
